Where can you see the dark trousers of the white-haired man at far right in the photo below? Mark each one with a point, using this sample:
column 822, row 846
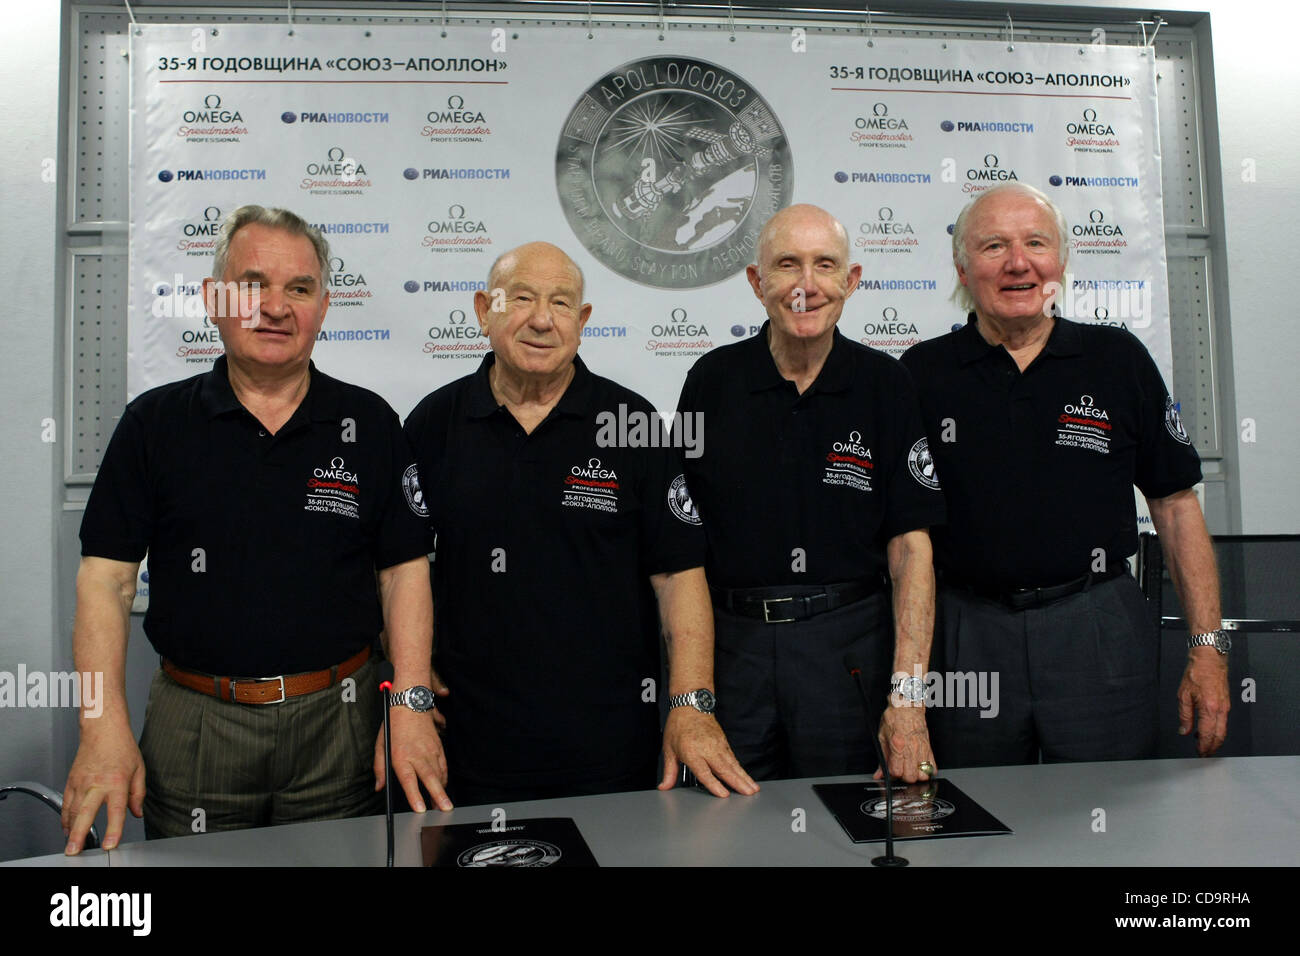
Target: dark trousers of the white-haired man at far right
column 1077, row 680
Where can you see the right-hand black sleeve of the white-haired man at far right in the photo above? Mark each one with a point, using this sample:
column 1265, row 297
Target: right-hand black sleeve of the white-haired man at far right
column 1167, row 460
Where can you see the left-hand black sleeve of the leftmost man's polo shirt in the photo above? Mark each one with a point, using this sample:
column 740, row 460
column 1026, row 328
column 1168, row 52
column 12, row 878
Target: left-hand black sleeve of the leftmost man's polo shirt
column 119, row 520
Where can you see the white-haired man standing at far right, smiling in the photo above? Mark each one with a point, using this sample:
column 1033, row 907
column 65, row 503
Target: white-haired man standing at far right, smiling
column 1041, row 429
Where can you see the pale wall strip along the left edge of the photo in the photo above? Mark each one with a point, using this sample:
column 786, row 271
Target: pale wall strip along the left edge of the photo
column 32, row 473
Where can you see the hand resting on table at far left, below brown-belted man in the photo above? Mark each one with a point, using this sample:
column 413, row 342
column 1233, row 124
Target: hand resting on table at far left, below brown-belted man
column 110, row 771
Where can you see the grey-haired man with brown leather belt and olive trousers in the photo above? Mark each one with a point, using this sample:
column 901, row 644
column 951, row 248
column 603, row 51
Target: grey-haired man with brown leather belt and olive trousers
column 268, row 496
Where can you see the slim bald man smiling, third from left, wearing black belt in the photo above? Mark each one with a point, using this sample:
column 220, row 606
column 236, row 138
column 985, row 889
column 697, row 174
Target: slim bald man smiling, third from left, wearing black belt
column 817, row 494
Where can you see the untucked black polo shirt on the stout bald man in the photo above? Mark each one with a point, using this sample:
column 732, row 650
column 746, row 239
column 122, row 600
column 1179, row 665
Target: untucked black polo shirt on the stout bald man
column 547, row 626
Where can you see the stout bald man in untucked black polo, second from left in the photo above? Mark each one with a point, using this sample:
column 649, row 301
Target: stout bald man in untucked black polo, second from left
column 558, row 555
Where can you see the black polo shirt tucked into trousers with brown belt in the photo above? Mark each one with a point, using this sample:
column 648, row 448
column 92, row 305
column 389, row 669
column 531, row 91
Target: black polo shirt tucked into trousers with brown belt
column 263, row 548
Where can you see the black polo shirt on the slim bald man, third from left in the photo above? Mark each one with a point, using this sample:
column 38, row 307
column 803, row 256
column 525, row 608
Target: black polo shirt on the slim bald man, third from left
column 834, row 473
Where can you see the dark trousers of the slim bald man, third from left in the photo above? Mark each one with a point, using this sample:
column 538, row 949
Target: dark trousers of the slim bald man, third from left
column 785, row 698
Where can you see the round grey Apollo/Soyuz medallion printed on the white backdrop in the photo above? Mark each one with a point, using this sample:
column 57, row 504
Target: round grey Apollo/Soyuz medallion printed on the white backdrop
column 669, row 167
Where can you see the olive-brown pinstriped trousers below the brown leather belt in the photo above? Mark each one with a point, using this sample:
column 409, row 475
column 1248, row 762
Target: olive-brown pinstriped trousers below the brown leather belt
column 211, row 765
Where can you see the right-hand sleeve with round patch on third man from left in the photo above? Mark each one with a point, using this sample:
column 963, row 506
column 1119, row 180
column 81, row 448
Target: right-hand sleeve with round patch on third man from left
column 916, row 500
